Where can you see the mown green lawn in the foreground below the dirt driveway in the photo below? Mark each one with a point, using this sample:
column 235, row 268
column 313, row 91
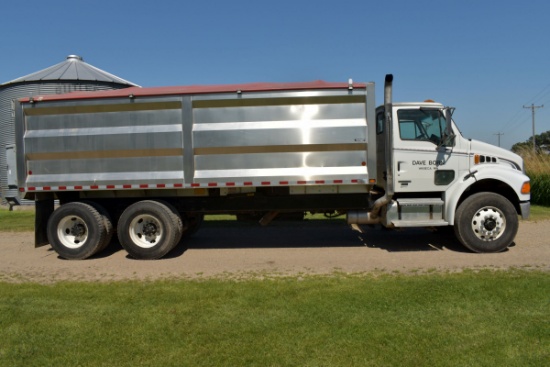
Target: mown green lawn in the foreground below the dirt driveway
column 468, row 319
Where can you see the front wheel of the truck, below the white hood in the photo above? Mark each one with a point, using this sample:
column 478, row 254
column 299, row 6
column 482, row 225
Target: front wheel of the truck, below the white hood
column 486, row 222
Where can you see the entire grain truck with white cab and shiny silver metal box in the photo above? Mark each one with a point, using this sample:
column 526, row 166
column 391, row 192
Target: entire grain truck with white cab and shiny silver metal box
column 148, row 163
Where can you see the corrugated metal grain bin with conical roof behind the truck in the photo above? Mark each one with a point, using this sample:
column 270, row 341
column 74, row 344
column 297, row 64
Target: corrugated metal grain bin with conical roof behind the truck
column 73, row 74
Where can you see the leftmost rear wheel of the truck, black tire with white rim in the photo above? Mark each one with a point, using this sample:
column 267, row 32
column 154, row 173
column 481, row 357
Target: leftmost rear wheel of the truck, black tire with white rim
column 76, row 231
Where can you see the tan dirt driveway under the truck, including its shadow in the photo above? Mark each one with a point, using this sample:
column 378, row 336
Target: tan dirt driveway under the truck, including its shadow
column 235, row 250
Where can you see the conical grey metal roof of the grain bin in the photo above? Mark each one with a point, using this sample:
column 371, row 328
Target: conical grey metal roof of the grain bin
column 72, row 69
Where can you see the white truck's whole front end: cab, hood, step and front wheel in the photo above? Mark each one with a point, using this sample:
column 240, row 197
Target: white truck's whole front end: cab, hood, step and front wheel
column 436, row 177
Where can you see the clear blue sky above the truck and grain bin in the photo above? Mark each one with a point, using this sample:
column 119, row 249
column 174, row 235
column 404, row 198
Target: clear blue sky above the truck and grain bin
column 488, row 59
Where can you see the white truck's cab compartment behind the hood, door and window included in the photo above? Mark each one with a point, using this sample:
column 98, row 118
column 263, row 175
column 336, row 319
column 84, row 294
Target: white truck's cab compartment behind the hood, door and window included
column 425, row 157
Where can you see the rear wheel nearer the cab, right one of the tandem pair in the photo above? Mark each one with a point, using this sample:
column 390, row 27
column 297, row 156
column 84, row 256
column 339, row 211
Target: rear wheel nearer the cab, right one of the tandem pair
column 149, row 229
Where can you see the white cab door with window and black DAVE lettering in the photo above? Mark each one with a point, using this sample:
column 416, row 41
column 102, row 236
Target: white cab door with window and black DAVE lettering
column 420, row 165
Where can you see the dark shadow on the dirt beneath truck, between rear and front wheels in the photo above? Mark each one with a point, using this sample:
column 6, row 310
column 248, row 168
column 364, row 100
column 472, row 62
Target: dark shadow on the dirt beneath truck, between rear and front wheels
column 316, row 234
